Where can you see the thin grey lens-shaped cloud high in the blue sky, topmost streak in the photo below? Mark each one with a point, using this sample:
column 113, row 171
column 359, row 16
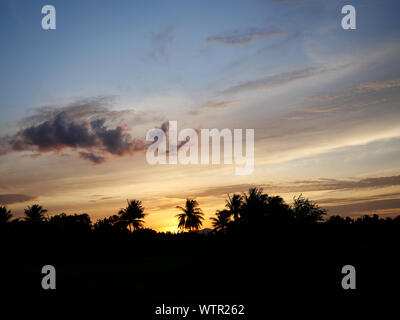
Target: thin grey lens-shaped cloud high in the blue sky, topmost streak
column 242, row 38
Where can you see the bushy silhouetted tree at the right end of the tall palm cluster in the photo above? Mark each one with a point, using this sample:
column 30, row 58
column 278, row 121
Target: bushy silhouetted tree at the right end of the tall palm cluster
column 306, row 211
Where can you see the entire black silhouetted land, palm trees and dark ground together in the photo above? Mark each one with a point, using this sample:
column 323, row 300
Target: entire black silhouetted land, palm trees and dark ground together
column 259, row 246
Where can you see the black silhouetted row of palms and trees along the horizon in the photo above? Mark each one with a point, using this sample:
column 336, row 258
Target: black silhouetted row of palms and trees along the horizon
column 252, row 210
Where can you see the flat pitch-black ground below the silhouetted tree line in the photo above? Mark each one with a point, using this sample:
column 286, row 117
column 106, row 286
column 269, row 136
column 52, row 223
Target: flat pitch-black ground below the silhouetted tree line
column 304, row 262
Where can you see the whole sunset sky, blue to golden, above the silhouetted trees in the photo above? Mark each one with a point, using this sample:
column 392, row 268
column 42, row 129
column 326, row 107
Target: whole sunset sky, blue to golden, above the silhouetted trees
column 76, row 103
